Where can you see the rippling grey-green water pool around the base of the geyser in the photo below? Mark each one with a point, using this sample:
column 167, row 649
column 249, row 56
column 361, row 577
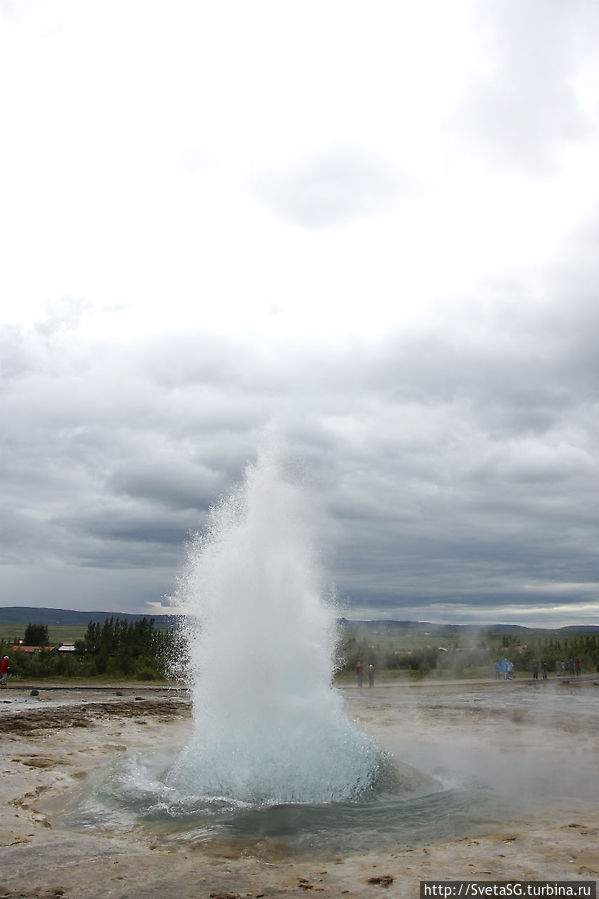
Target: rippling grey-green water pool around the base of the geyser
column 404, row 807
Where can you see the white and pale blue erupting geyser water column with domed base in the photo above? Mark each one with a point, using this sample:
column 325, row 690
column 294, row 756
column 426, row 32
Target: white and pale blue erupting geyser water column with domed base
column 268, row 726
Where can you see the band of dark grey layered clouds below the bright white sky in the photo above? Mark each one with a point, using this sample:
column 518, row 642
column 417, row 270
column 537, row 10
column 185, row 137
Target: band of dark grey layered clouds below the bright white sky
column 451, row 474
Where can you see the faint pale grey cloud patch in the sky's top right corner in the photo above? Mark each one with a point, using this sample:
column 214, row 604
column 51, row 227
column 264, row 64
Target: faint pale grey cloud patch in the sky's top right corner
column 524, row 103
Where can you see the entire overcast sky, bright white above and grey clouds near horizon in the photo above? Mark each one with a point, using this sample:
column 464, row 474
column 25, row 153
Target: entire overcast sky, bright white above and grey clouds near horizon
column 372, row 227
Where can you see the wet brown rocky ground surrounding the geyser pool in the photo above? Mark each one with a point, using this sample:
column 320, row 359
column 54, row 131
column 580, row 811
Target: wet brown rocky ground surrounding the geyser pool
column 538, row 743
